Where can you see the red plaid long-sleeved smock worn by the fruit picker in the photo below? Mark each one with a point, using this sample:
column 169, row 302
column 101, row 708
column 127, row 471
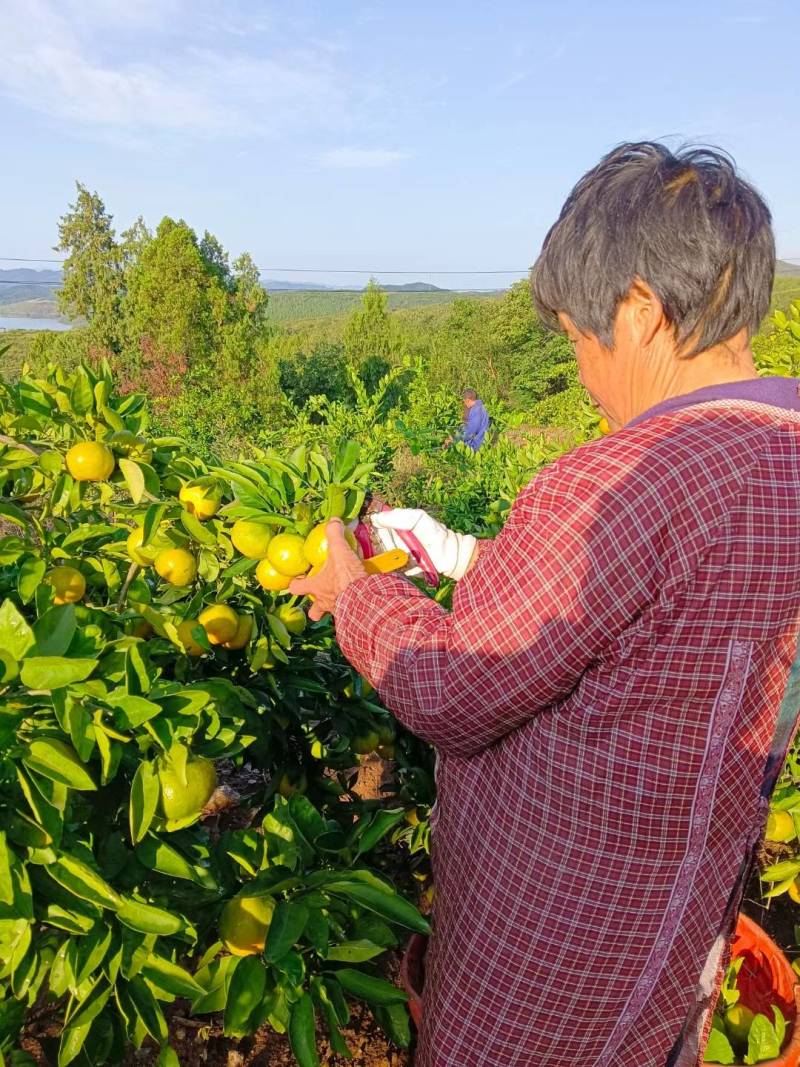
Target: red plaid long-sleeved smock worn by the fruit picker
column 603, row 698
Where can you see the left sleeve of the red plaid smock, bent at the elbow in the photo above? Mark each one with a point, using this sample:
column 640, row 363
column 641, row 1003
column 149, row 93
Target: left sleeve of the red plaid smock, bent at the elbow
column 577, row 564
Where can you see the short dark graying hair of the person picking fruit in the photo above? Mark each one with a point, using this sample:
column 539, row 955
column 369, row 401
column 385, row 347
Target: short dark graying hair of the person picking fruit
column 684, row 224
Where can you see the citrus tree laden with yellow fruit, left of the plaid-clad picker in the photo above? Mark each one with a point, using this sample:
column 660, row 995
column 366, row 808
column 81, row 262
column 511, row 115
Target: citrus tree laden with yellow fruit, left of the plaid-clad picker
column 149, row 649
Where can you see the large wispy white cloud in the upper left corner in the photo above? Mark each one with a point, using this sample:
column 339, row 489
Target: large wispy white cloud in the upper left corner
column 163, row 68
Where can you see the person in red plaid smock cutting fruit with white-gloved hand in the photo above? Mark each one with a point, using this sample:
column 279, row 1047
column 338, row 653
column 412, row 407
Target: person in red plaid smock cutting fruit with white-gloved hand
column 605, row 694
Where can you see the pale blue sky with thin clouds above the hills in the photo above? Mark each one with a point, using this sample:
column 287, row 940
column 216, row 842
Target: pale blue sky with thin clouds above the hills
column 378, row 136
